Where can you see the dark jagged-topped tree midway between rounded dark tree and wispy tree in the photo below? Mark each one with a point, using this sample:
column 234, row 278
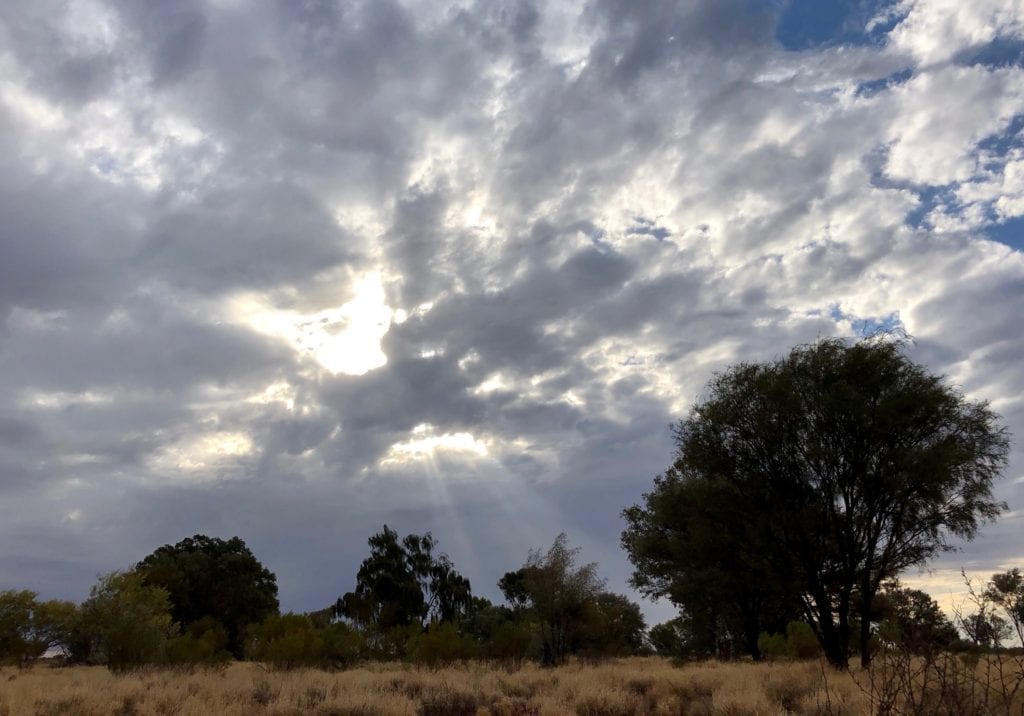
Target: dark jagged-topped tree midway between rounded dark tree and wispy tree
column 402, row 584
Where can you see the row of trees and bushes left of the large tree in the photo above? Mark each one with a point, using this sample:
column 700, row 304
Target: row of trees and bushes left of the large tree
column 205, row 602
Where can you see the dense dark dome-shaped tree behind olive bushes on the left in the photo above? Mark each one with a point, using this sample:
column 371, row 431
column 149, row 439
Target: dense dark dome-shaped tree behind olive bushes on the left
column 210, row 578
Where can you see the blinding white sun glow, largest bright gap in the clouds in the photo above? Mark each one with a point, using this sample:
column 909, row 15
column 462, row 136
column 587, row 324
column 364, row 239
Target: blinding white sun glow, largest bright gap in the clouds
column 347, row 340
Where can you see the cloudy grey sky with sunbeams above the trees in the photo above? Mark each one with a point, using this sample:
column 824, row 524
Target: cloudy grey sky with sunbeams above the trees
column 293, row 271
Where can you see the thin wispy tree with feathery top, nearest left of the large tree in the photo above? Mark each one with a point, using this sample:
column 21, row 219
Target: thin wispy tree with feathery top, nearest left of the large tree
column 561, row 596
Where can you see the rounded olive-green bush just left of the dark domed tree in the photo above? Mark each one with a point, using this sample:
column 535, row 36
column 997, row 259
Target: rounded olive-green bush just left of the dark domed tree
column 125, row 623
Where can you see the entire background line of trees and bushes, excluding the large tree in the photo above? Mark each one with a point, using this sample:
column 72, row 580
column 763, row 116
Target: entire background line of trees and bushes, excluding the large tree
column 206, row 602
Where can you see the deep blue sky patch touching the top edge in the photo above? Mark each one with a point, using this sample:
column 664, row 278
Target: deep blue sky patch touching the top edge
column 806, row 25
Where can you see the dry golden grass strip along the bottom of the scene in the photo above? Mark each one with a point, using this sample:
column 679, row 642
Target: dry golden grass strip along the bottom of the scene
column 622, row 688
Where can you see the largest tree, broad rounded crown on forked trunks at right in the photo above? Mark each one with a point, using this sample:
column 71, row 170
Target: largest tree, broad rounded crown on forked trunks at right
column 849, row 464
